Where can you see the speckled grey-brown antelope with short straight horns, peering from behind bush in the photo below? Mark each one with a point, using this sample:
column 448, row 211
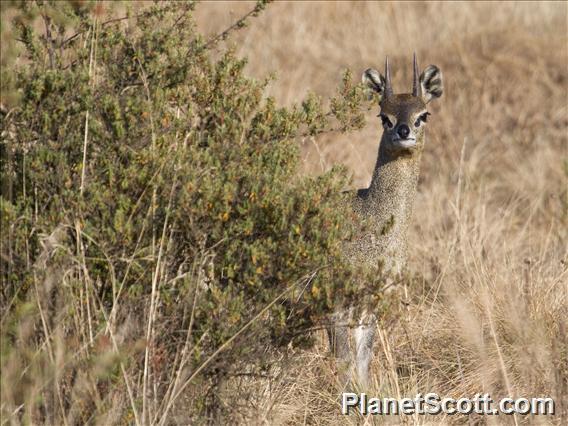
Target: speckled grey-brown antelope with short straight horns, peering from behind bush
column 387, row 203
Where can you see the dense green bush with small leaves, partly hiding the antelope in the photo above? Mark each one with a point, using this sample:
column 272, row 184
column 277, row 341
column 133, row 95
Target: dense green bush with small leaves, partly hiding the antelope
column 153, row 215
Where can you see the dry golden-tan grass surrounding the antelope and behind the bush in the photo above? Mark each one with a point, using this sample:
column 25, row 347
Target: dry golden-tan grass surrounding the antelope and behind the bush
column 489, row 235
